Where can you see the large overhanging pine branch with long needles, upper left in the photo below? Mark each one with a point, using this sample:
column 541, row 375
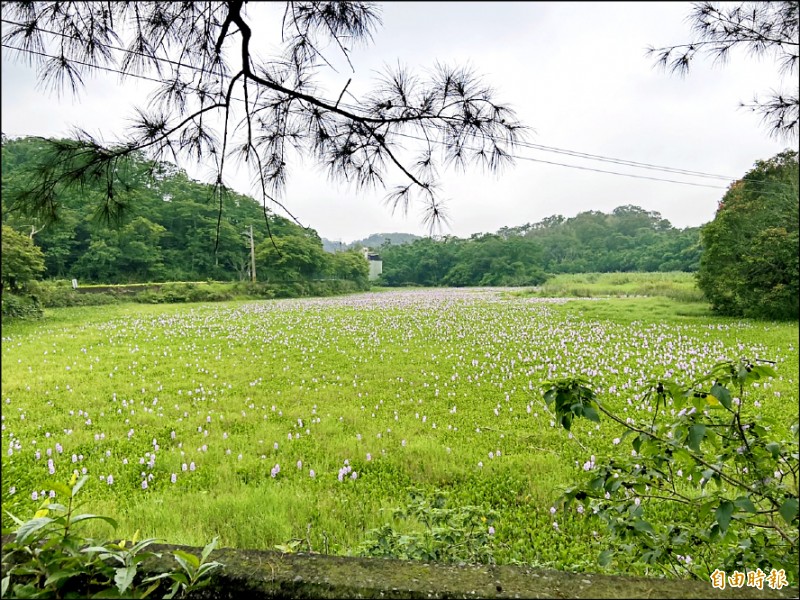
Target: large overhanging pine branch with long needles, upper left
column 217, row 100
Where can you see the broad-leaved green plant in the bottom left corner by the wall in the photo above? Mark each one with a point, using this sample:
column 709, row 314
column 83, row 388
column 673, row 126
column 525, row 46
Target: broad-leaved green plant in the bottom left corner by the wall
column 48, row 559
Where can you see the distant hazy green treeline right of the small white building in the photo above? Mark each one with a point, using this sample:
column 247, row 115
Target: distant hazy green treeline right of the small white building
column 628, row 239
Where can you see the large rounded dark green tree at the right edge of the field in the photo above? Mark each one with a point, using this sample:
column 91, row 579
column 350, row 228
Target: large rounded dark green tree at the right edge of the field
column 750, row 265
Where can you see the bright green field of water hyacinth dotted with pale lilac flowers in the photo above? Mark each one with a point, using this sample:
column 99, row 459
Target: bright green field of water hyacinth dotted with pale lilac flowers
column 489, row 348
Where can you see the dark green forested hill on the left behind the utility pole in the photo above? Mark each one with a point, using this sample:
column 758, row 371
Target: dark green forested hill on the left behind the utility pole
column 168, row 231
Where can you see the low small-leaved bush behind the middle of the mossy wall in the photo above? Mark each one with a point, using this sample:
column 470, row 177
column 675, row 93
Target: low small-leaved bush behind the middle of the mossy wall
column 461, row 534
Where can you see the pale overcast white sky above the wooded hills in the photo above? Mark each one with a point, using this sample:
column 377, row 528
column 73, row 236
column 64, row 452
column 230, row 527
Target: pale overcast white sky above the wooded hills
column 576, row 73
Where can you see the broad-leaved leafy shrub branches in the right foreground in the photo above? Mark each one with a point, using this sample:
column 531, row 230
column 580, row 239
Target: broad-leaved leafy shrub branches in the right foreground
column 728, row 483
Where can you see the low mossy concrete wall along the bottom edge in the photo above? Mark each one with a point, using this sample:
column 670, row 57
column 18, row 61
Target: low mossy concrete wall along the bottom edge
column 261, row 574
